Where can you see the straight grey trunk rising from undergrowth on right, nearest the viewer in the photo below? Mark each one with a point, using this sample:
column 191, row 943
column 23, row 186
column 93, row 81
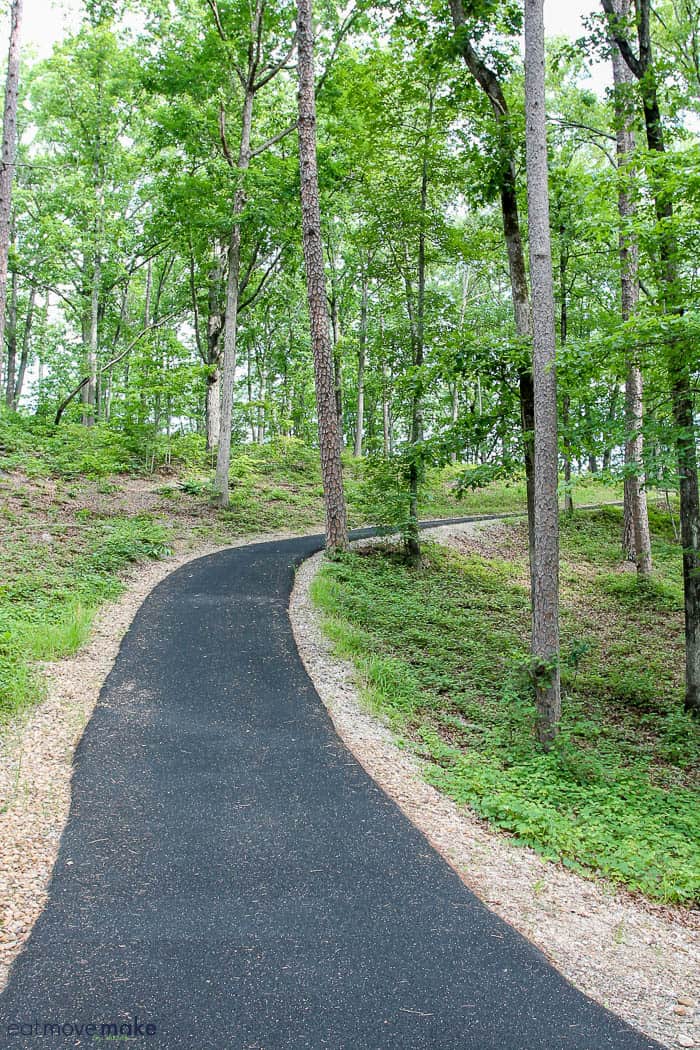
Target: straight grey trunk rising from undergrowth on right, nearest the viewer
column 546, row 599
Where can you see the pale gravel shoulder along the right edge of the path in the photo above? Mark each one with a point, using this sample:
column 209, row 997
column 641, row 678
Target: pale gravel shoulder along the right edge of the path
column 641, row 961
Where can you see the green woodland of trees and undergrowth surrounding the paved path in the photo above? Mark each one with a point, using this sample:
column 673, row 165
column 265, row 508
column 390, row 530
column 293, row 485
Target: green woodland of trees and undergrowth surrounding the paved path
column 271, row 268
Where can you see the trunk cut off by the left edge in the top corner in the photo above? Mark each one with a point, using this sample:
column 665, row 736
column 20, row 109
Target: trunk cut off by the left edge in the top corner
column 9, row 158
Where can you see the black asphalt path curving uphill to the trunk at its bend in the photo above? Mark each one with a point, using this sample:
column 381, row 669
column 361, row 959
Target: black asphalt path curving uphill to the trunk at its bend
column 231, row 876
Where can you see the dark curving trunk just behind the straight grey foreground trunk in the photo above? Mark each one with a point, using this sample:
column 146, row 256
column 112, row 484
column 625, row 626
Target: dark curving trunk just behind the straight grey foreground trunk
column 491, row 85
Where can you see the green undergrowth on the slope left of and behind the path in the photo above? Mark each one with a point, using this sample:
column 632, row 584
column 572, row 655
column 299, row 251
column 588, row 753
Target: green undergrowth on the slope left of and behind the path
column 80, row 505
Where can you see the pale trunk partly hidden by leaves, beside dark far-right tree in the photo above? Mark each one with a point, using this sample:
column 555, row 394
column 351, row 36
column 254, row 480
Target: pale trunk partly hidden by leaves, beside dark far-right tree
column 637, row 540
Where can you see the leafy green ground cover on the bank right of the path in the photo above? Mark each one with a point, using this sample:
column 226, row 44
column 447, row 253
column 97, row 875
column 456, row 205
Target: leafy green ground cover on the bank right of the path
column 442, row 652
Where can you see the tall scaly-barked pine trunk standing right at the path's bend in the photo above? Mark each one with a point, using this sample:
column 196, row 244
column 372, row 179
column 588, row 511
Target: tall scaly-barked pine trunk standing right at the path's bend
column 329, row 429
